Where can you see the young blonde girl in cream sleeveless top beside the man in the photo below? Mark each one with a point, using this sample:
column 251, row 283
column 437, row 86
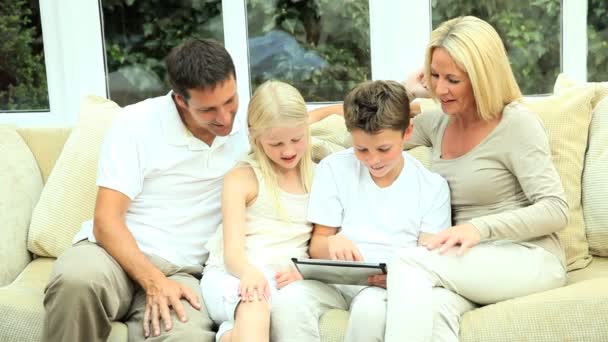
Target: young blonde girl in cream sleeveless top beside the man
column 264, row 203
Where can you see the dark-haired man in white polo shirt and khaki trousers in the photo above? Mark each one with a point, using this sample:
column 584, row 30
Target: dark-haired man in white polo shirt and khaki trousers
column 160, row 176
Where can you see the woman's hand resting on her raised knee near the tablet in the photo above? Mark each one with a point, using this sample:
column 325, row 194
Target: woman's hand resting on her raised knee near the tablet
column 465, row 235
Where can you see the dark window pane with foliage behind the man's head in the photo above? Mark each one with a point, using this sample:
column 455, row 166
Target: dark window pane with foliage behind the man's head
column 139, row 35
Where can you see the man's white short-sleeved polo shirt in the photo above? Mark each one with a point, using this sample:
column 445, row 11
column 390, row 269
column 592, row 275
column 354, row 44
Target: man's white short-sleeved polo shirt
column 173, row 179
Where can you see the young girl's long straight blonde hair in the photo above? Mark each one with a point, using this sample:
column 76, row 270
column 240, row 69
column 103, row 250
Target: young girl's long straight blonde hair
column 277, row 104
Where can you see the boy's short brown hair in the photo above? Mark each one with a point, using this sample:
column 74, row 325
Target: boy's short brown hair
column 374, row 106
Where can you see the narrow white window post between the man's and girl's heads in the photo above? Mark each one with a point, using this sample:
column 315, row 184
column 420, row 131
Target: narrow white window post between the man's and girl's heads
column 234, row 14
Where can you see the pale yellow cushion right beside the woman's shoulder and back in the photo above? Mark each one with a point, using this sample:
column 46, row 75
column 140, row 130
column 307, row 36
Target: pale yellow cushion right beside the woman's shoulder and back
column 566, row 115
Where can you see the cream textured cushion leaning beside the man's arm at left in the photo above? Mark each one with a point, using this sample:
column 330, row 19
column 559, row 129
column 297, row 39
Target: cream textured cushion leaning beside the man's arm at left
column 68, row 198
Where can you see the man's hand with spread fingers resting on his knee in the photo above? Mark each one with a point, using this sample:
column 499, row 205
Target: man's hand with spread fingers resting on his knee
column 162, row 295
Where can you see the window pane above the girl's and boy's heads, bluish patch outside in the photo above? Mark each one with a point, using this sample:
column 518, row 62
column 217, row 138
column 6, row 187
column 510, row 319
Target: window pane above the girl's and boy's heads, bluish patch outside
column 321, row 47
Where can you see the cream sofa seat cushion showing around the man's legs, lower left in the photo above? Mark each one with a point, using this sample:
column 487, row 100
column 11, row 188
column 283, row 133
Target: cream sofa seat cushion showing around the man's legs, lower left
column 22, row 310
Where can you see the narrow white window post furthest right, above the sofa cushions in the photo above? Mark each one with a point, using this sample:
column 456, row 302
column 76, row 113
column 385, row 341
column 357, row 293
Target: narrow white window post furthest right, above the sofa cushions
column 574, row 39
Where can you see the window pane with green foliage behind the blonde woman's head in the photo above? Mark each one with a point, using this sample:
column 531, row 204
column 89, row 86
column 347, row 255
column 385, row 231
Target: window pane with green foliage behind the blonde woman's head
column 531, row 33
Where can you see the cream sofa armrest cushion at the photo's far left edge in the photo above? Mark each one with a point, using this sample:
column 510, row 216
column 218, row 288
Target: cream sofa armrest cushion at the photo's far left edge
column 21, row 184
